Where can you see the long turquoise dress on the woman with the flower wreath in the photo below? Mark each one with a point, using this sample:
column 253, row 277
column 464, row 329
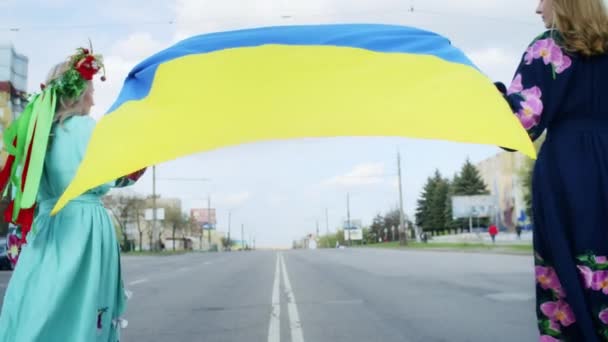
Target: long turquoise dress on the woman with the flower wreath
column 67, row 285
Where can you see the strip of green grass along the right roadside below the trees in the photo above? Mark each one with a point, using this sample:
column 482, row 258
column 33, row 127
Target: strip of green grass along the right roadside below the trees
column 461, row 246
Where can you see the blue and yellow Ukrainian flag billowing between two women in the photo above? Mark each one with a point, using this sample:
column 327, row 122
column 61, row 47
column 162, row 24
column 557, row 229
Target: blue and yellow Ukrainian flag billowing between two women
column 230, row 88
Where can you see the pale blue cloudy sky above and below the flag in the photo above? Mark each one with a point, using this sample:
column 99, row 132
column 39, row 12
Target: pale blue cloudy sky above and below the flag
column 277, row 190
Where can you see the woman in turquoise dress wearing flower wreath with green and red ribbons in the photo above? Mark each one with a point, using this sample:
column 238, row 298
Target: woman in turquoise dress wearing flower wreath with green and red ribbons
column 67, row 285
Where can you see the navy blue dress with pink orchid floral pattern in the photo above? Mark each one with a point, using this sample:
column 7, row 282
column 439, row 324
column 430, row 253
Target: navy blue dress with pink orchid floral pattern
column 567, row 95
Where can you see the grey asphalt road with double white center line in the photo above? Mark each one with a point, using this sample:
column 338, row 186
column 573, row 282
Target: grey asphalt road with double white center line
column 329, row 296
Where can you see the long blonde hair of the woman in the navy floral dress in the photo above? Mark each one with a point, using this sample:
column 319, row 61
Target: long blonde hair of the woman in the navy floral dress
column 583, row 25
